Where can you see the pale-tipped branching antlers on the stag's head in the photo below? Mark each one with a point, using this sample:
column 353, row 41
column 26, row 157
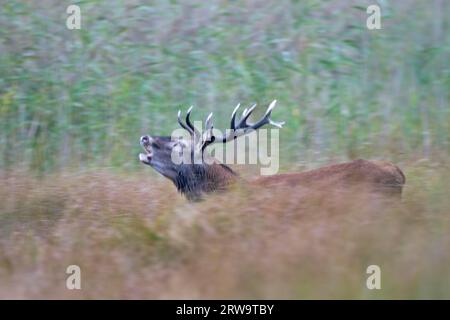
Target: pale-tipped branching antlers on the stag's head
column 237, row 128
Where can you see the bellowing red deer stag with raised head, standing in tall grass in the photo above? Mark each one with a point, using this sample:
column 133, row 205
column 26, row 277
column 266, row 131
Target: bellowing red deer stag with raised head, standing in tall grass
column 195, row 178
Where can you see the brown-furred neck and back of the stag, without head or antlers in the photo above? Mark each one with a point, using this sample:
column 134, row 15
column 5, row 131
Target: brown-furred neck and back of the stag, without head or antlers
column 373, row 175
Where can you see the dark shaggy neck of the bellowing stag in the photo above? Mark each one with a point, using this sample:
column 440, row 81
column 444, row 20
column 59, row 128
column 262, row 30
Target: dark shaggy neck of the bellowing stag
column 193, row 180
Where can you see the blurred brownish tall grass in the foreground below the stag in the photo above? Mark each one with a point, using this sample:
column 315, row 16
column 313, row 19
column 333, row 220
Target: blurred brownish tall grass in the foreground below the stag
column 135, row 239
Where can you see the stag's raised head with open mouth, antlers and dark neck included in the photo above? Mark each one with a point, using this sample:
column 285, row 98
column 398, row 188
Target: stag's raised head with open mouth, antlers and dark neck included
column 198, row 172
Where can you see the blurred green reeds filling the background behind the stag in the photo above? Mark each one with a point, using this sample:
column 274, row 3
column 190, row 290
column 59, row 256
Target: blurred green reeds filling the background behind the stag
column 82, row 98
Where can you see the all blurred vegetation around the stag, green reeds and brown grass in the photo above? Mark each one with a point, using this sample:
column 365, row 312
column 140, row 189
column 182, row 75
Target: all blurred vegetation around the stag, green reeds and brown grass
column 73, row 104
